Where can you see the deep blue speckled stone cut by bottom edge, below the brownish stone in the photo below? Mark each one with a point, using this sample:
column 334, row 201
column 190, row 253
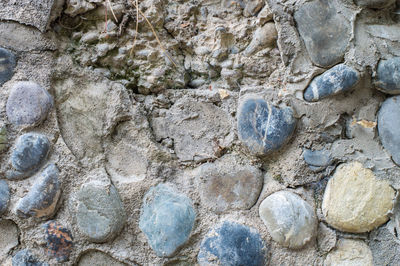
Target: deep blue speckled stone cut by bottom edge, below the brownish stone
column 232, row 244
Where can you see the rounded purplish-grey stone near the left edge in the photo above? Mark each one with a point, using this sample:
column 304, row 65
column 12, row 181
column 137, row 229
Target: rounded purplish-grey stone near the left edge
column 28, row 104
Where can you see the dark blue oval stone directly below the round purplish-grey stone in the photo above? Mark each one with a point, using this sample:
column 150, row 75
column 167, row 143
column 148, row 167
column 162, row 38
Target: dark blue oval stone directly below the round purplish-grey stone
column 29, row 153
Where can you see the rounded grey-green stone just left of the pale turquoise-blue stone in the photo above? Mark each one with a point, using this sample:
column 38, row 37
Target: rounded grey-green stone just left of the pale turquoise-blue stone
column 100, row 213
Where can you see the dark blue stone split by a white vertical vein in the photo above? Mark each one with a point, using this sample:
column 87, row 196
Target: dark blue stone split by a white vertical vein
column 262, row 127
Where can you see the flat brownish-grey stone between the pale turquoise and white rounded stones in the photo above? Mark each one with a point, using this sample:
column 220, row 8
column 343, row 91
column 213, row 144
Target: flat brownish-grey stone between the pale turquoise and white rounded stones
column 227, row 185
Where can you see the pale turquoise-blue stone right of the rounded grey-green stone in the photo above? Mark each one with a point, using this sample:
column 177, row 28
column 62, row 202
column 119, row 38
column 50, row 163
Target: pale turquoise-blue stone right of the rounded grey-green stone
column 167, row 218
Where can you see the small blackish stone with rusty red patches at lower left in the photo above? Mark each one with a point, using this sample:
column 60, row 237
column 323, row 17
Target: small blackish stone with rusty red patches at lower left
column 59, row 241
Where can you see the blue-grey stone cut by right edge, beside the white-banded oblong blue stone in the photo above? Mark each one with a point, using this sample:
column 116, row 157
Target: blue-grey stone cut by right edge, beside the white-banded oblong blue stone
column 388, row 76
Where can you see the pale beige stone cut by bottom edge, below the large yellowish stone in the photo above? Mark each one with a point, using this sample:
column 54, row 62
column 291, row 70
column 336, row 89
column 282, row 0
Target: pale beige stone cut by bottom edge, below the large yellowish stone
column 349, row 252
